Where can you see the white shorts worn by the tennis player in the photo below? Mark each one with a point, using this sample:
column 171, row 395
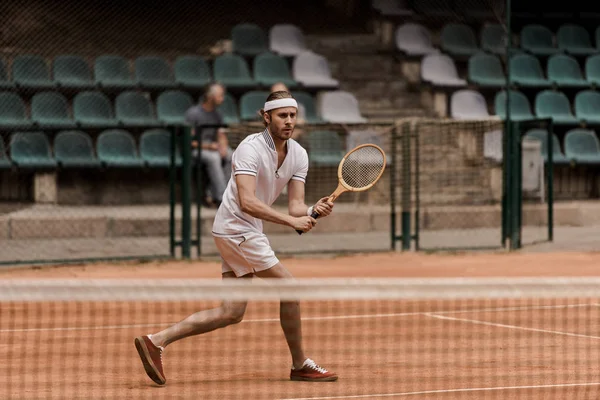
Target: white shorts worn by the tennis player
column 245, row 253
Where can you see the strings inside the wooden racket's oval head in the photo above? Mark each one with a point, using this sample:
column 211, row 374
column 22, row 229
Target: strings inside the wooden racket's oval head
column 362, row 167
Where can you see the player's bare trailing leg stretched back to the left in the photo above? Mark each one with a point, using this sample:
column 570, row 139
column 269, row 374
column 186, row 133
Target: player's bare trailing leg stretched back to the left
column 228, row 313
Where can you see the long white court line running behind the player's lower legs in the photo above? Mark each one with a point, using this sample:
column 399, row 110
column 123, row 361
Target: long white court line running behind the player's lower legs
column 321, row 318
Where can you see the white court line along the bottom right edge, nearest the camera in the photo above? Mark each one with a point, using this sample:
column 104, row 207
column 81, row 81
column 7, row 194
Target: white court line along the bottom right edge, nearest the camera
column 482, row 389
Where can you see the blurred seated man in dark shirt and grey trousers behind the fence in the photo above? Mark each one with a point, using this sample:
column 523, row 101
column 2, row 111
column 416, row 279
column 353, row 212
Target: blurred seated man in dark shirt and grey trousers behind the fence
column 211, row 143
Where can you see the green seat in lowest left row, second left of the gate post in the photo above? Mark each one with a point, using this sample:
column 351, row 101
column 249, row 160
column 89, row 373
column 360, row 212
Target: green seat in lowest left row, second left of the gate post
column 116, row 148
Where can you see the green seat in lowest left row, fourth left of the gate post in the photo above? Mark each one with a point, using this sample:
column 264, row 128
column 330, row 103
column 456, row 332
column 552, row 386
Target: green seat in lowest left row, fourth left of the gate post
column 31, row 150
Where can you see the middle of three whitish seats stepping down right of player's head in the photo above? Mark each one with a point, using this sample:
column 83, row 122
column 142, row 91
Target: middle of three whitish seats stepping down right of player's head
column 312, row 71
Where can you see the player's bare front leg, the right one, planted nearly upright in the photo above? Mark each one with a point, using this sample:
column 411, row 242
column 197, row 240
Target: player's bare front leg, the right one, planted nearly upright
column 289, row 315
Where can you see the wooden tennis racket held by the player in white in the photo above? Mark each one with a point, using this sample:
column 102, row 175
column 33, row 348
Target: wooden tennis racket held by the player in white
column 358, row 171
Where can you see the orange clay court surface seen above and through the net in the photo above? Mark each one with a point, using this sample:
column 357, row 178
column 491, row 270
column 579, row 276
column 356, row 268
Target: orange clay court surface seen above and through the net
column 450, row 349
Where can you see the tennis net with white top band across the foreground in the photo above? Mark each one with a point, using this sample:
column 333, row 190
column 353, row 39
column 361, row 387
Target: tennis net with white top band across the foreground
column 449, row 338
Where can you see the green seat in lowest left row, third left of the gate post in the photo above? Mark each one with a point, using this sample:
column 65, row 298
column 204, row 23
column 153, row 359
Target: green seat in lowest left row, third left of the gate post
column 75, row 149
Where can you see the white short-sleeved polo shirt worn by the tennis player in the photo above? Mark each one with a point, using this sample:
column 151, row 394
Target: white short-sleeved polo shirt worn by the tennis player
column 256, row 155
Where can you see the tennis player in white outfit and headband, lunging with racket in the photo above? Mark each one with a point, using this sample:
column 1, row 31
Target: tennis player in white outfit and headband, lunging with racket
column 262, row 165
